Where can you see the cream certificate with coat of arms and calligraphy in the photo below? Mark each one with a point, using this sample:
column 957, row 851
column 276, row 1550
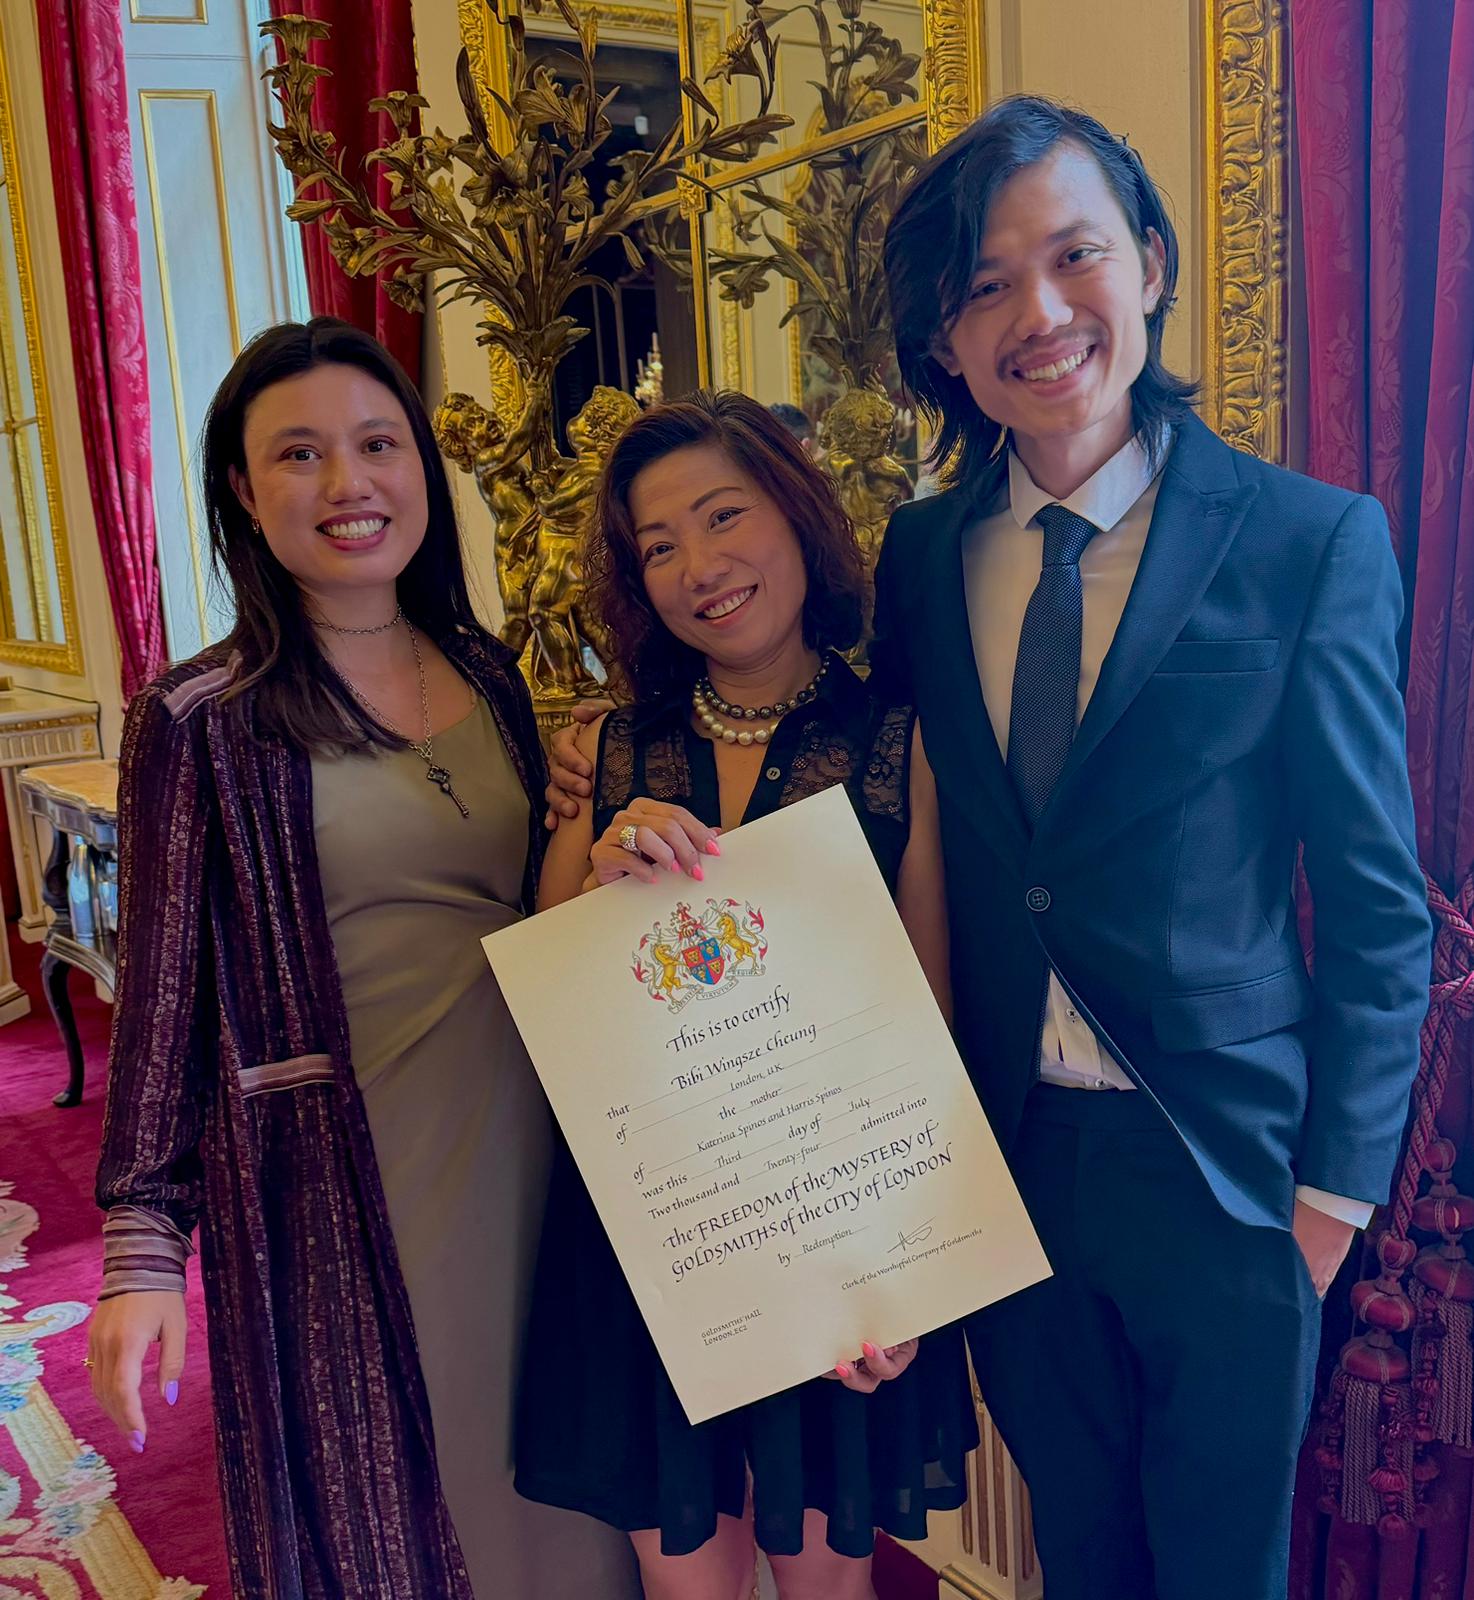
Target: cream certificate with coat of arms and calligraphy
column 767, row 1108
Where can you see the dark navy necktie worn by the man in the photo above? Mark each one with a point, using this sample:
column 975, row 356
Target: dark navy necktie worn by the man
column 1047, row 673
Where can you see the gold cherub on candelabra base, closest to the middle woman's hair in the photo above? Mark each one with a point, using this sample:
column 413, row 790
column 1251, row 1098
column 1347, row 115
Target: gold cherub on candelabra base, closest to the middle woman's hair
column 559, row 614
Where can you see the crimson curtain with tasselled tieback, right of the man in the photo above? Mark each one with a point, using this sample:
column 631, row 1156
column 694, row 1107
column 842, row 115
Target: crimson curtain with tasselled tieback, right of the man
column 1385, row 132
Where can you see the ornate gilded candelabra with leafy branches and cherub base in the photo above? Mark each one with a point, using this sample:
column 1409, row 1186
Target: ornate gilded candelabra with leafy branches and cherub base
column 507, row 218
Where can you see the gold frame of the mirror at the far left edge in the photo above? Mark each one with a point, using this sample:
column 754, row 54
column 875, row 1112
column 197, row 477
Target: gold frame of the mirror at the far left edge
column 63, row 655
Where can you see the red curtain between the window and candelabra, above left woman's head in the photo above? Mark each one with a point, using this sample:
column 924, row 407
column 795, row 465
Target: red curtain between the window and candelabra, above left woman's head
column 371, row 52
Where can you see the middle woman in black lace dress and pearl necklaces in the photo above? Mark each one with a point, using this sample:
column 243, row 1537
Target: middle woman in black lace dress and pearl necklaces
column 729, row 578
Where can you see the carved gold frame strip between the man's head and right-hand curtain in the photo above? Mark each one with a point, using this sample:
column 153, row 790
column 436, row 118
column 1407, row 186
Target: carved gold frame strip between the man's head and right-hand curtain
column 1248, row 238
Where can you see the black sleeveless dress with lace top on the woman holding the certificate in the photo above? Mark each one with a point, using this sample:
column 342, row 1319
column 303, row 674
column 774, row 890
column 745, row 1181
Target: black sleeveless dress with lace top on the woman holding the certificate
column 623, row 1450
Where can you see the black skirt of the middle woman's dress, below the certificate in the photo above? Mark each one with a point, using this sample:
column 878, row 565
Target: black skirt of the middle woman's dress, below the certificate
column 601, row 1430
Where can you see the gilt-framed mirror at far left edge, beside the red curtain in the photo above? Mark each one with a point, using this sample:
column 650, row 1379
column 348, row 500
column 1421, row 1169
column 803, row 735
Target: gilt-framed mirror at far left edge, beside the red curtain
column 38, row 612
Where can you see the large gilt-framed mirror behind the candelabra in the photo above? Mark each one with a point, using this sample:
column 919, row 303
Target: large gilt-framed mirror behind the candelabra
column 868, row 87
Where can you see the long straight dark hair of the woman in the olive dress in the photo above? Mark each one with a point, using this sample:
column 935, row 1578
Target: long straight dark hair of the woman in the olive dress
column 298, row 697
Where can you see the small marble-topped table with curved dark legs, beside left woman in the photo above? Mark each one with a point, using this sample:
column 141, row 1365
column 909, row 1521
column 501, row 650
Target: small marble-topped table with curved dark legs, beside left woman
column 81, row 887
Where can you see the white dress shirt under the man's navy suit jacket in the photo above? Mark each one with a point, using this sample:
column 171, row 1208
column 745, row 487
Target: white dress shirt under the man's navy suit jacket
column 1003, row 559
